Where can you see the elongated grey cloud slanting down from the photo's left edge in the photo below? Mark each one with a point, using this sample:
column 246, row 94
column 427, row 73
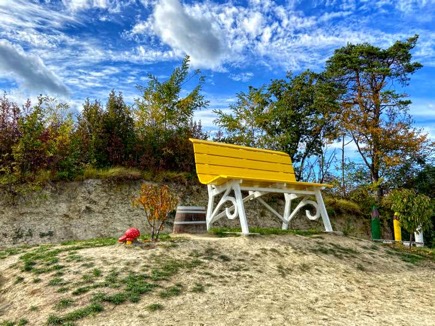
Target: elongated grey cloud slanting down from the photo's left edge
column 29, row 69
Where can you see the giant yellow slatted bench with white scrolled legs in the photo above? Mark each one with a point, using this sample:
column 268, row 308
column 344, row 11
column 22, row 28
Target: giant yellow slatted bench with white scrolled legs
column 227, row 170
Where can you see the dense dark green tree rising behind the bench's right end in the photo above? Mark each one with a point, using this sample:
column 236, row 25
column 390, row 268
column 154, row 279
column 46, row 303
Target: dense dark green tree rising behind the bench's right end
column 302, row 116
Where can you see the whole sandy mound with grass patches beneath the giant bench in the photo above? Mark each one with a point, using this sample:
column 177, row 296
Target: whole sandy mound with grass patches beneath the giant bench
column 204, row 280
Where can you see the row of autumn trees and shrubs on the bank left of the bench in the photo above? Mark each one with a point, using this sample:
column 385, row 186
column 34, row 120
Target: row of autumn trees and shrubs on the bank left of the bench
column 43, row 140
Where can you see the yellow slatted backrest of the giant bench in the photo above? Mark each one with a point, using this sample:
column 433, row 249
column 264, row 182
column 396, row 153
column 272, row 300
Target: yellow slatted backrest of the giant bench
column 216, row 162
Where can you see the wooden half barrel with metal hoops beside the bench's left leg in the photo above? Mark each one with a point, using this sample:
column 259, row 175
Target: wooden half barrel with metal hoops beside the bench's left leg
column 190, row 219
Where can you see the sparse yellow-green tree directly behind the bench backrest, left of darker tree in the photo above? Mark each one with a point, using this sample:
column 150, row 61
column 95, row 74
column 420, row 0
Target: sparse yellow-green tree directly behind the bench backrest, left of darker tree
column 244, row 125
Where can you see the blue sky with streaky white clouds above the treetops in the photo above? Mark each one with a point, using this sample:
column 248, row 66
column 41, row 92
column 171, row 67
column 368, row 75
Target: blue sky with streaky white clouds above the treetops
column 74, row 49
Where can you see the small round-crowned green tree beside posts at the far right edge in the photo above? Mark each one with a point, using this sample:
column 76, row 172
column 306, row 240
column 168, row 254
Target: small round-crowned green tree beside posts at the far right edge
column 415, row 210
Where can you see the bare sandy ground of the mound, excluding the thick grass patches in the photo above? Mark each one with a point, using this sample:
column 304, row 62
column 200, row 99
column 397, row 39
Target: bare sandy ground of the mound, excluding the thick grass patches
column 256, row 280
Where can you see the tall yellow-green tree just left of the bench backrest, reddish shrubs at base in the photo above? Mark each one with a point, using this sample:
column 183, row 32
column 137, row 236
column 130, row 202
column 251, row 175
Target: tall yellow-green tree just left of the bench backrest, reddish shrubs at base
column 164, row 120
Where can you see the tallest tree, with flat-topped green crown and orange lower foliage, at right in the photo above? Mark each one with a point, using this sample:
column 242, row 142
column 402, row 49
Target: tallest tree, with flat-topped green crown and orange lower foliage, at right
column 374, row 114
